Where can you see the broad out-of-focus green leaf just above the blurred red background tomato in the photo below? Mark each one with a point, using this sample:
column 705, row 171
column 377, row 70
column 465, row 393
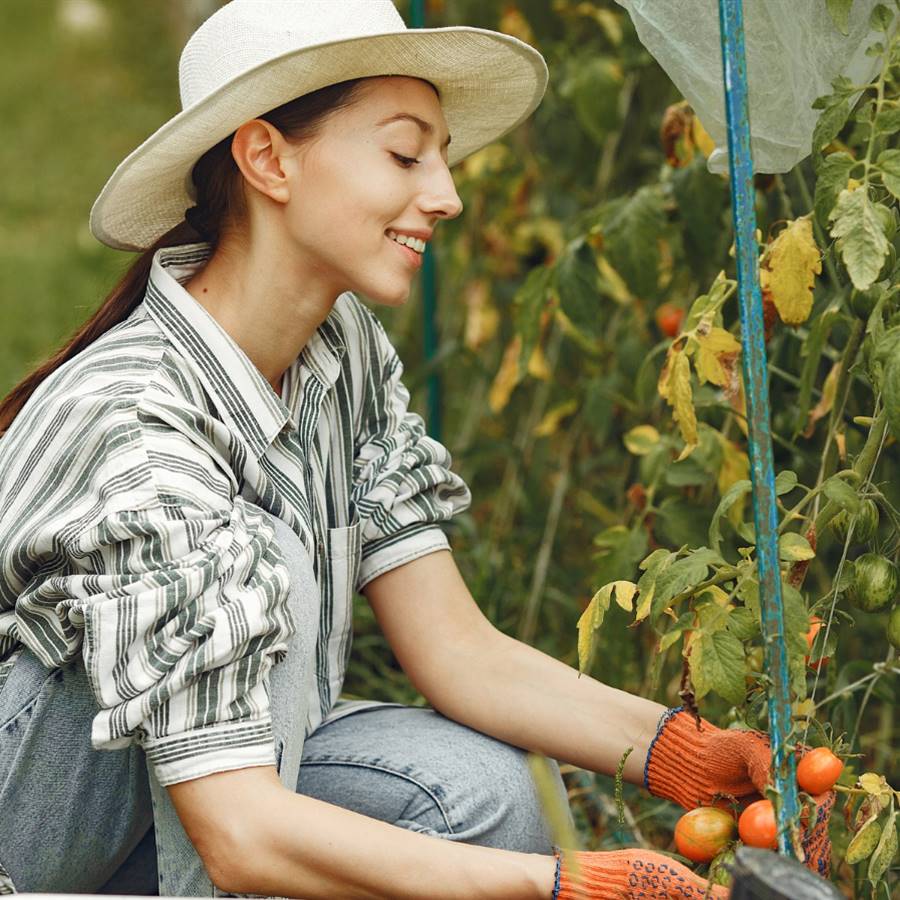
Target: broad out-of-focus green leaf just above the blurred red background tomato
column 630, row 240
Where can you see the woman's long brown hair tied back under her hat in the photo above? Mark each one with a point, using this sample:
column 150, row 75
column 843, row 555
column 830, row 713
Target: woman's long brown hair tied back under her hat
column 220, row 206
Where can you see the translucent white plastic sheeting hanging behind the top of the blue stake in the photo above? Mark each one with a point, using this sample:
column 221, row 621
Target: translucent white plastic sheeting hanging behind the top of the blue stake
column 793, row 50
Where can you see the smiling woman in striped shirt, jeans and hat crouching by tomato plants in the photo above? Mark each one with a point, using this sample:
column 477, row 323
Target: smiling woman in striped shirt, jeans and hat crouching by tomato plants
column 196, row 485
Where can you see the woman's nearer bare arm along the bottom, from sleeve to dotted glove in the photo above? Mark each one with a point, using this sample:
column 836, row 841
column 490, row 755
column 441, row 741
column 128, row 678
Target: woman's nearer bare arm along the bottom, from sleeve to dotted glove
column 257, row 837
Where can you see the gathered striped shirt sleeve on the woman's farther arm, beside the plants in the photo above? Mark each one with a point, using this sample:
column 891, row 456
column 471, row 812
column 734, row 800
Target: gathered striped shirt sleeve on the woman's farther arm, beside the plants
column 403, row 484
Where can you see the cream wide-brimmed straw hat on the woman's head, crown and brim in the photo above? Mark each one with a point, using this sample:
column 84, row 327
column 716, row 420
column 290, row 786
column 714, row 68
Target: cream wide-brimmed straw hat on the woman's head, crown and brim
column 252, row 56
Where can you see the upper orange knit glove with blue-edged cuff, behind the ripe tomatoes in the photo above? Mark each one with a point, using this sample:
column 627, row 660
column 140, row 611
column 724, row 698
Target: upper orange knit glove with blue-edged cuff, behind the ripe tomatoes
column 691, row 766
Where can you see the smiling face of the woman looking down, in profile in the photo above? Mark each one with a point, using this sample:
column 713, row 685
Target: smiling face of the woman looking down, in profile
column 373, row 174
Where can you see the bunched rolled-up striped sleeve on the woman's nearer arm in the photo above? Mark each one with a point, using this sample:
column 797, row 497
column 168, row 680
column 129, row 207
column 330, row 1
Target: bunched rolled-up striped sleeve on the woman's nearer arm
column 184, row 612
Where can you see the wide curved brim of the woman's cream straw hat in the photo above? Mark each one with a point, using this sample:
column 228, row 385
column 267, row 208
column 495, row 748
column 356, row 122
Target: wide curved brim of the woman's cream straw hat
column 489, row 83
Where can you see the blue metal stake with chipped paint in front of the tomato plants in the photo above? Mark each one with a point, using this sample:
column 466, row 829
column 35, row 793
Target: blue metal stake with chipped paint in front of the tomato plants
column 740, row 164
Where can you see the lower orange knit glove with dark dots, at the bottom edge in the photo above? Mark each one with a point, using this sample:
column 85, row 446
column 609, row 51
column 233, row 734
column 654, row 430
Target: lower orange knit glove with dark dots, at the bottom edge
column 629, row 875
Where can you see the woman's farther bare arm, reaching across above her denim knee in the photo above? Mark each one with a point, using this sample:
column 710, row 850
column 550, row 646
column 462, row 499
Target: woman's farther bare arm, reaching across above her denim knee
column 473, row 673
